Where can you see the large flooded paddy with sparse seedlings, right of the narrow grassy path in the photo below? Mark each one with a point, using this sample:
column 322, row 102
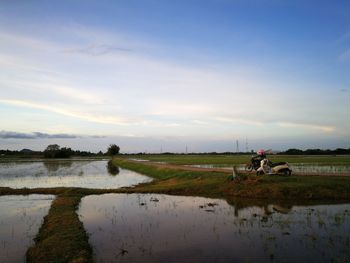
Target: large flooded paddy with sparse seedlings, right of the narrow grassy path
column 163, row 228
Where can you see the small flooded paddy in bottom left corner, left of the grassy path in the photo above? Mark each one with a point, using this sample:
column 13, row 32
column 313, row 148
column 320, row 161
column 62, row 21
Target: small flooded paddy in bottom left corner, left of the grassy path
column 20, row 219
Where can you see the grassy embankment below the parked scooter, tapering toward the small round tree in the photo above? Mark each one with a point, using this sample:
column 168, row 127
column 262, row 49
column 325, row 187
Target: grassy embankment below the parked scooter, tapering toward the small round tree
column 170, row 180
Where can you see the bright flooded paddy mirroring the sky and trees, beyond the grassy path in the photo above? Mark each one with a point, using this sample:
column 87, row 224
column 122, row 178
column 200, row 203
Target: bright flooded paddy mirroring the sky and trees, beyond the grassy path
column 88, row 174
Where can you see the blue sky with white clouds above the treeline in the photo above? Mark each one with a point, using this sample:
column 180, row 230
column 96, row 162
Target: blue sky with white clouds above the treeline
column 159, row 75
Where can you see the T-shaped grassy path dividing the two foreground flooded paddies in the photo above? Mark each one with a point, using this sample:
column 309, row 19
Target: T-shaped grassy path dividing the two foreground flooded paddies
column 61, row 237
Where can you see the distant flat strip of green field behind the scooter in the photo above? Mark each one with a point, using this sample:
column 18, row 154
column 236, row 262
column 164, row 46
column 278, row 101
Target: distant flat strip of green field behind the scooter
column 241, row 159
